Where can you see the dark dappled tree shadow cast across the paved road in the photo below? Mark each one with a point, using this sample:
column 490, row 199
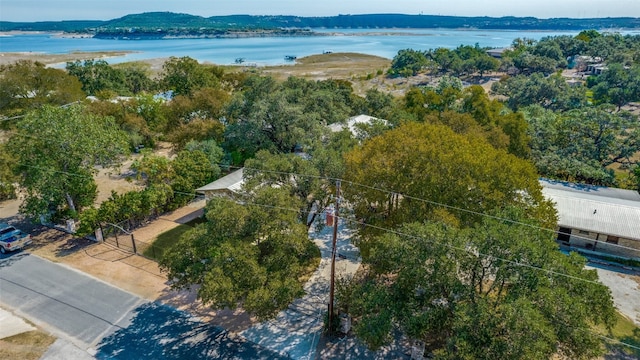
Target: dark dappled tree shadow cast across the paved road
column 158, row 331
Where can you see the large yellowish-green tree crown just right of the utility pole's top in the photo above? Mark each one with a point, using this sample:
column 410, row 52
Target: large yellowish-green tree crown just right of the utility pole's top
column 452, row 171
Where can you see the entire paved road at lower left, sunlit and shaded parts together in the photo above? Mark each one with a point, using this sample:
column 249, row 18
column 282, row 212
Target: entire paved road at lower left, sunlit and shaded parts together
column 110, row 323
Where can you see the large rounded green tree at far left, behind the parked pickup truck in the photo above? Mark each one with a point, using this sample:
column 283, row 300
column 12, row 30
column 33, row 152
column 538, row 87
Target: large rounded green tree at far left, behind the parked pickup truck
column 56, row 150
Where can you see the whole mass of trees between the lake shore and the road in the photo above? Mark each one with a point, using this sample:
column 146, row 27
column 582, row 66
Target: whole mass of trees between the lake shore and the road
column 444, row 194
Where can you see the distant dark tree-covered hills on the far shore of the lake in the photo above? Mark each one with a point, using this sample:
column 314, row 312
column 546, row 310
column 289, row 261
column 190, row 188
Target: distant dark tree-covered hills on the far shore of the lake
column 167, row 20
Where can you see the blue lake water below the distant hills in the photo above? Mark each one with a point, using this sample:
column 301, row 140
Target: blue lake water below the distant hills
column 272, row 50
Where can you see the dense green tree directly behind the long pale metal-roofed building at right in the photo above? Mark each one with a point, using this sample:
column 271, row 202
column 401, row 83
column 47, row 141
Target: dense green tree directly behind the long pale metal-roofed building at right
column 581, row 144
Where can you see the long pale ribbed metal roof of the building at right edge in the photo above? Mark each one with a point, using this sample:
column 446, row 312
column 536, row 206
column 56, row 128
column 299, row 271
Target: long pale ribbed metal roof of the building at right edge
column 592, row 209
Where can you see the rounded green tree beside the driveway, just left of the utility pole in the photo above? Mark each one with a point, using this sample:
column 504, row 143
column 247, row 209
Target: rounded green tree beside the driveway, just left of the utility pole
column 250, row 255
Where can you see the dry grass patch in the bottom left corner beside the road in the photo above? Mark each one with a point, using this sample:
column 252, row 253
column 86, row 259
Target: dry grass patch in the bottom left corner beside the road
column 30, row 345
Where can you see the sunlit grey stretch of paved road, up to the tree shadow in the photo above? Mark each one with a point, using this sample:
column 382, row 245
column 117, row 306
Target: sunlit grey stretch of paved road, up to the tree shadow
column 79, row 306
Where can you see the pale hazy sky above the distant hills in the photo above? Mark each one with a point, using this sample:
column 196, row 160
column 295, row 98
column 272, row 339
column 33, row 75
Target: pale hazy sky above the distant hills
column 53, row 10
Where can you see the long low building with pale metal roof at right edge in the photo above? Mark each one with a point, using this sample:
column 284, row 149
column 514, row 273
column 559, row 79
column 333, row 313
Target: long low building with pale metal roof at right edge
column 596, row 218
